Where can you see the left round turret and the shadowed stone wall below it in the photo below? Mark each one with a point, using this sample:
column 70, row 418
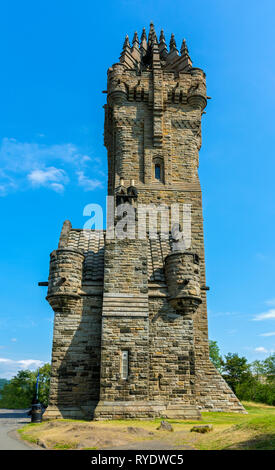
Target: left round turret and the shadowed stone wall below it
column 74, row 387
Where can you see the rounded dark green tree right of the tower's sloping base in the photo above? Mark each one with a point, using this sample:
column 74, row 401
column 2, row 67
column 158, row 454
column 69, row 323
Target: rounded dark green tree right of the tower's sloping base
column 236, row 370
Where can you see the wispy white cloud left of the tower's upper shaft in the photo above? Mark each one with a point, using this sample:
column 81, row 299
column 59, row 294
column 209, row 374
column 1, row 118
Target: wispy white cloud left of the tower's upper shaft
column 43, row 165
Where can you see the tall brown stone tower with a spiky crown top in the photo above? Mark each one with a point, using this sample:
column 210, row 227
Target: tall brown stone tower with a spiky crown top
column 130, row 330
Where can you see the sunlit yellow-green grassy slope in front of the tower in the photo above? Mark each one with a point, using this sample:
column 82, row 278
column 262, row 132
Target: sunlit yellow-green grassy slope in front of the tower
column 256, row 430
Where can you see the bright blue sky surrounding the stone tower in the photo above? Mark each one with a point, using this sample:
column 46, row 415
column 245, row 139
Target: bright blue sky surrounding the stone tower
column 54, row 58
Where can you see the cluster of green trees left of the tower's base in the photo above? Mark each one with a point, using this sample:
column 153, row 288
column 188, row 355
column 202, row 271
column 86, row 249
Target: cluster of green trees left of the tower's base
column 19, row 392
